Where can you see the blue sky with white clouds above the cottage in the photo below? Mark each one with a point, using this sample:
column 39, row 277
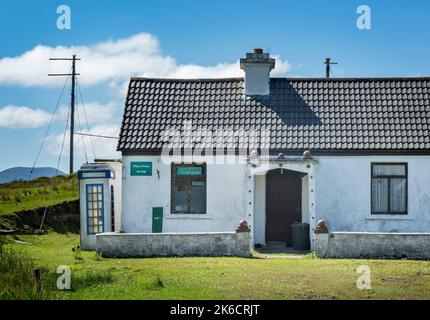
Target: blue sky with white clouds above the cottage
column 119, row 39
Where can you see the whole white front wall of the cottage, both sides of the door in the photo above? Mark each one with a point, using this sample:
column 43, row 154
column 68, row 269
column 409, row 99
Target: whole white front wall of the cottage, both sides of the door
column 342, row 197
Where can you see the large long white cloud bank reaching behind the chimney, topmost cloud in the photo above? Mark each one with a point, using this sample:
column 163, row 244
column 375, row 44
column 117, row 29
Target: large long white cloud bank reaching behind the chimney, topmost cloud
column 111, row 62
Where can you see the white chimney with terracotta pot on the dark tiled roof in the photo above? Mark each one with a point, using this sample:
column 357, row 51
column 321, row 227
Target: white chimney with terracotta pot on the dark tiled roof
column 257, row 66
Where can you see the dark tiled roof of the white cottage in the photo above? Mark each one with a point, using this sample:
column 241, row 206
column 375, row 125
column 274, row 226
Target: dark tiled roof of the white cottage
column 385, row 114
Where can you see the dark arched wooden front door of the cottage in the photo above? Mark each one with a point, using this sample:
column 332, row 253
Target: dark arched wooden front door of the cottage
column 283, row 204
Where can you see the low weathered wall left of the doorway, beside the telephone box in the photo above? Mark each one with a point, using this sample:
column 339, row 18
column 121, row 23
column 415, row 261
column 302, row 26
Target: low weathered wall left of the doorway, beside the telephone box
column 121, row 245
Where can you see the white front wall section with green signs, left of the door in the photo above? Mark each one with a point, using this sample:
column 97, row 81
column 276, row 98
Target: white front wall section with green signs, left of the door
column 227, row 198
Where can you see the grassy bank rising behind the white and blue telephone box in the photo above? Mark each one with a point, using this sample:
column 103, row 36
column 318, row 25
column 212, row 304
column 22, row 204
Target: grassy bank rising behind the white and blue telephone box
column 28, row 195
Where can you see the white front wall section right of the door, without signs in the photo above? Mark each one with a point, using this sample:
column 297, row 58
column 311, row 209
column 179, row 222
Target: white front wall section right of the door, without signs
column 343, row 194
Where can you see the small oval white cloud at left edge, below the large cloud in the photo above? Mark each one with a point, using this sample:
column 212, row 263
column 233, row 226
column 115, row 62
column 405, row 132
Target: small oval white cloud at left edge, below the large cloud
column 23, row 117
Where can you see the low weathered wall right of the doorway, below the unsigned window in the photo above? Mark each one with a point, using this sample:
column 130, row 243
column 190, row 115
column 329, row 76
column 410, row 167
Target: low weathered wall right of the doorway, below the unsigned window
column 372, row 245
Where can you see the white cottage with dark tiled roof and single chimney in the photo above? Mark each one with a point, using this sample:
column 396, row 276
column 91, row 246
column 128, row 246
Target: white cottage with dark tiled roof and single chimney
column 200, row 155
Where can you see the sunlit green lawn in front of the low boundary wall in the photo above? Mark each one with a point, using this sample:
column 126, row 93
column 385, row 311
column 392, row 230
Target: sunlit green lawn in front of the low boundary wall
column 94, row 277
